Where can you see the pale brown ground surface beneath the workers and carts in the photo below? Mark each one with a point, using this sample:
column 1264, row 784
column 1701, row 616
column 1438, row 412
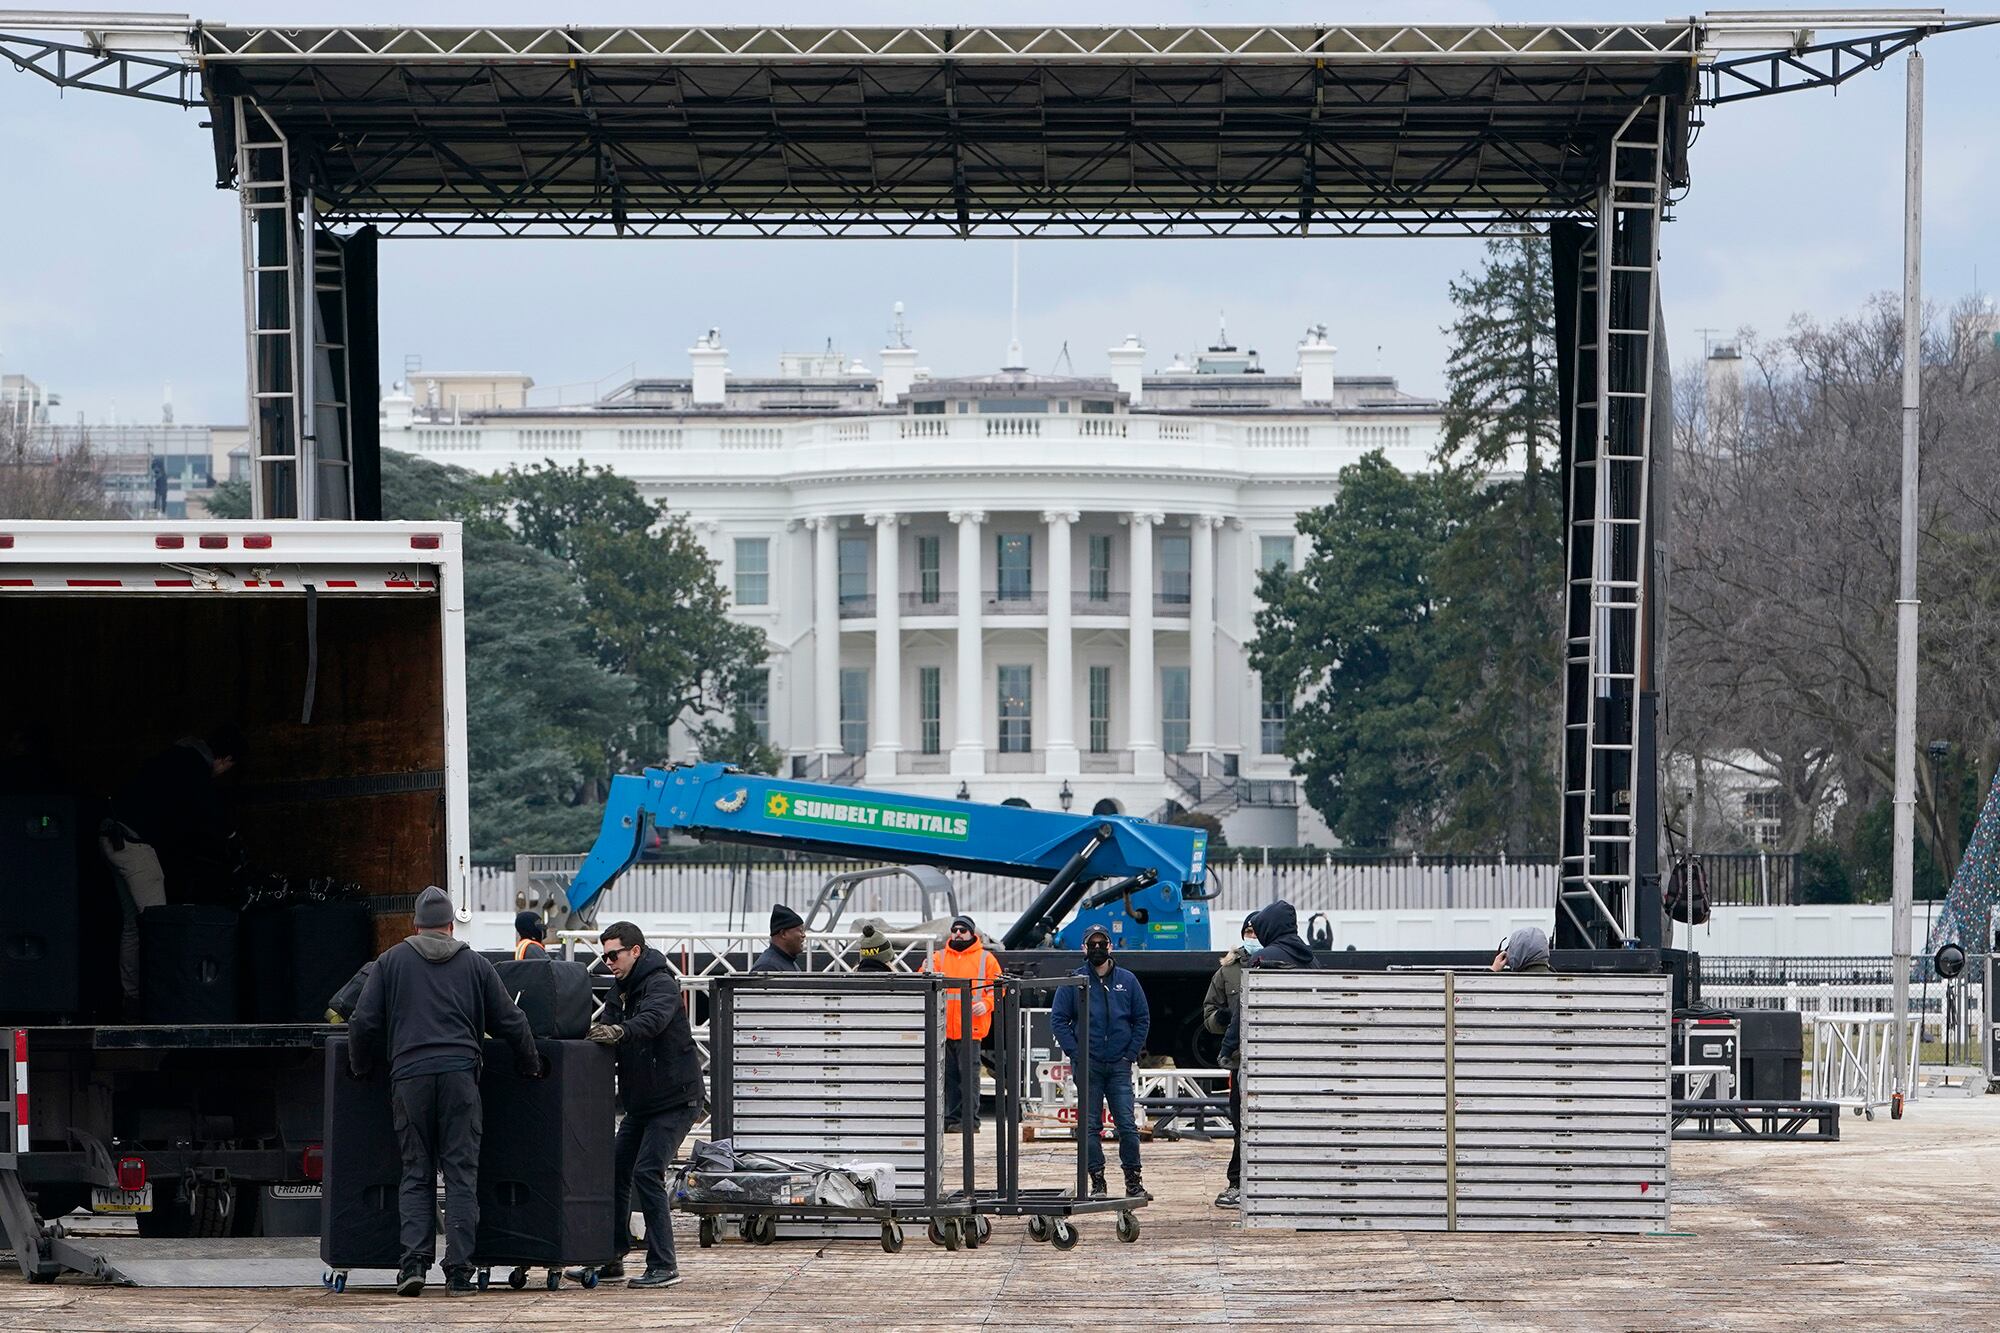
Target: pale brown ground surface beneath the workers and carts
column 1893, row 1228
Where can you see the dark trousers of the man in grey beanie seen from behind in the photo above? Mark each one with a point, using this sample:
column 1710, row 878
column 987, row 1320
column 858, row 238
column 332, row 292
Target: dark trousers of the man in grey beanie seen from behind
column 439, row 1132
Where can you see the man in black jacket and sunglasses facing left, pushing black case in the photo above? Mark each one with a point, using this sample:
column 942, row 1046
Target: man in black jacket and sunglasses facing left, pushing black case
column 661, row 1084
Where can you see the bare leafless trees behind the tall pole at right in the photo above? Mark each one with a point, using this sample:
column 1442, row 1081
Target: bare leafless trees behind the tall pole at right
column 1785, row 567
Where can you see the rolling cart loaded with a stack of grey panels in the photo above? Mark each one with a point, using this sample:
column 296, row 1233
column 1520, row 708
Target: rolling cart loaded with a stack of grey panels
column 839, row 1068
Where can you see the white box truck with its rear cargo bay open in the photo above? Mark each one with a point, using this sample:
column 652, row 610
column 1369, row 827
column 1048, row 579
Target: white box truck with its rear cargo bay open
column 339, row 651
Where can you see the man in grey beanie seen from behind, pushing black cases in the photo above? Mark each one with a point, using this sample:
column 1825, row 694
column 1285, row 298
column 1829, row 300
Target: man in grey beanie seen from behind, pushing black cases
column 427, row 1006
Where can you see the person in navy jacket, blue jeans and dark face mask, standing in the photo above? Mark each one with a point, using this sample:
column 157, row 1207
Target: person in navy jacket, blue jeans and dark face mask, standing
column 1119, row 1026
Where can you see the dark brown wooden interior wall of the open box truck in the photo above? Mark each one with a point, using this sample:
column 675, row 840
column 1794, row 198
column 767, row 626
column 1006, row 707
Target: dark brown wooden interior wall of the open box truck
column 115, row 680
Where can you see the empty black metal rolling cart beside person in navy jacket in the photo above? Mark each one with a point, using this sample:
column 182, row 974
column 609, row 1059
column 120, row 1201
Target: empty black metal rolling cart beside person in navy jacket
column 1051, row 1212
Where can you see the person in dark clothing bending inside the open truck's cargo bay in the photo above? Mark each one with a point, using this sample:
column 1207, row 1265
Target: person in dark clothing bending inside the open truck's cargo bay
column 169, row 836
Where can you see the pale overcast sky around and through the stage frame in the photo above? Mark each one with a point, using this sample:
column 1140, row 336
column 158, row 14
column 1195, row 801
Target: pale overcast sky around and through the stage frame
column 119, row 259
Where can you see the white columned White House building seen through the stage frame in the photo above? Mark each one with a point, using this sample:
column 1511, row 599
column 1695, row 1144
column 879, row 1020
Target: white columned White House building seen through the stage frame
column 1001, row 585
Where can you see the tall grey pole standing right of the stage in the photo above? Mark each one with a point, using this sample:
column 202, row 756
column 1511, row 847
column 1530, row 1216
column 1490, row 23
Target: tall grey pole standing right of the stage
column 1913, row 387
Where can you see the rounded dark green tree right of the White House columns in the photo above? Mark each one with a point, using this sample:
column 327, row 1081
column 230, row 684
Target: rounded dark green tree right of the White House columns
column 1357, row 629
